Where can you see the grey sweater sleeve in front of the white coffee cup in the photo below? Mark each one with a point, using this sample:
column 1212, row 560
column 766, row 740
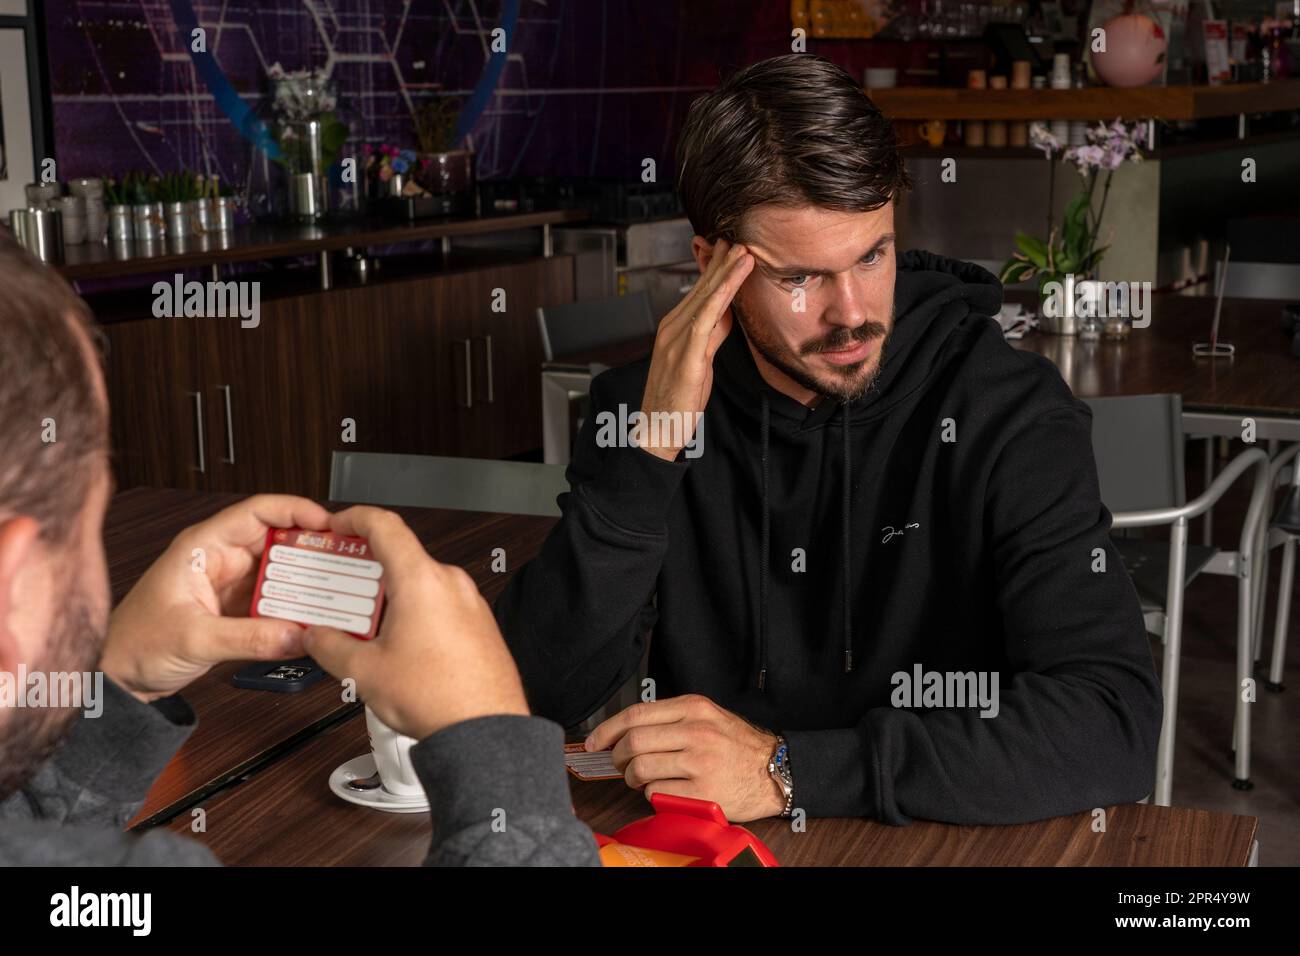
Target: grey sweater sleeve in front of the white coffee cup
column 499, row 795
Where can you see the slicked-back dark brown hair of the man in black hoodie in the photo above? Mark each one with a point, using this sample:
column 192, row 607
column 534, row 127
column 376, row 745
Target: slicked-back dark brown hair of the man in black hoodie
column 792, row 131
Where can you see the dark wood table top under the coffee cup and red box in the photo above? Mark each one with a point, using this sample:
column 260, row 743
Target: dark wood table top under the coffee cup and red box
column 287, row 816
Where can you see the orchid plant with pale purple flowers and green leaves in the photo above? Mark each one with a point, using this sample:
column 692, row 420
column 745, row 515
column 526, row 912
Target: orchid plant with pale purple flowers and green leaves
column 1073, row 249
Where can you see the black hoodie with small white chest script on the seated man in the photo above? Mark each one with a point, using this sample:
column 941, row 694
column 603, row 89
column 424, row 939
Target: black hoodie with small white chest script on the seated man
column 807, row 560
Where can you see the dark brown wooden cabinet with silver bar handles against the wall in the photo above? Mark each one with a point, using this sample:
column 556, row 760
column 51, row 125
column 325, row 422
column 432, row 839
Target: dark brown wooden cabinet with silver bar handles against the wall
column 421, row 366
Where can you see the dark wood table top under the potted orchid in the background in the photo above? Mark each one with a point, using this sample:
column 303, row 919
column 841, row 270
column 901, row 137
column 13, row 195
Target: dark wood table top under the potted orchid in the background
column 1263, row 378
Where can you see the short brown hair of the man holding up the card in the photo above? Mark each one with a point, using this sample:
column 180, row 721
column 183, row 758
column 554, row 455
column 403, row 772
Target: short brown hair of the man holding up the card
column 46, row 373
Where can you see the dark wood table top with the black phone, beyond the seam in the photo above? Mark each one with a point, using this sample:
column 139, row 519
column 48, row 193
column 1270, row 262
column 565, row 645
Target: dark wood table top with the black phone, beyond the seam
column 241, row 730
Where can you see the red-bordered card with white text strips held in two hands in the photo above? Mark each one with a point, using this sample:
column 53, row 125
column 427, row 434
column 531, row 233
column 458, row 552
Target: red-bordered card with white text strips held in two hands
column 320, row 578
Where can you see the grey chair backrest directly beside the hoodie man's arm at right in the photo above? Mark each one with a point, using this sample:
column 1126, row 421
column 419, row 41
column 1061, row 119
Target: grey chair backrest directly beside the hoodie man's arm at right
column 1138, row 443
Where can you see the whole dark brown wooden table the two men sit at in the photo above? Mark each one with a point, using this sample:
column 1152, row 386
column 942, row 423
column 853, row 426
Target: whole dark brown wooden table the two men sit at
column 287, row 746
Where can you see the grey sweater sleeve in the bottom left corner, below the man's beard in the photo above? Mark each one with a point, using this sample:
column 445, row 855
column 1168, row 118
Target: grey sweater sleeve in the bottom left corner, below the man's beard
column 73, row 808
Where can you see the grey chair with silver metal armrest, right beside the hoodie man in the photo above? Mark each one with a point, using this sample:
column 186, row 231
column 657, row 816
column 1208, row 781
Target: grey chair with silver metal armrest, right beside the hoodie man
column 1138, row 442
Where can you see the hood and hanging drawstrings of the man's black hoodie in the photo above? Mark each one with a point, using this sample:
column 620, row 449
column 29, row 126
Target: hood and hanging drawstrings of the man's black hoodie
column 934, row 297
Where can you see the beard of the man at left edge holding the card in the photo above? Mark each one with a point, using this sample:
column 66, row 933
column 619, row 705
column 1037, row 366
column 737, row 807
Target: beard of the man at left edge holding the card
column 31, row 736
